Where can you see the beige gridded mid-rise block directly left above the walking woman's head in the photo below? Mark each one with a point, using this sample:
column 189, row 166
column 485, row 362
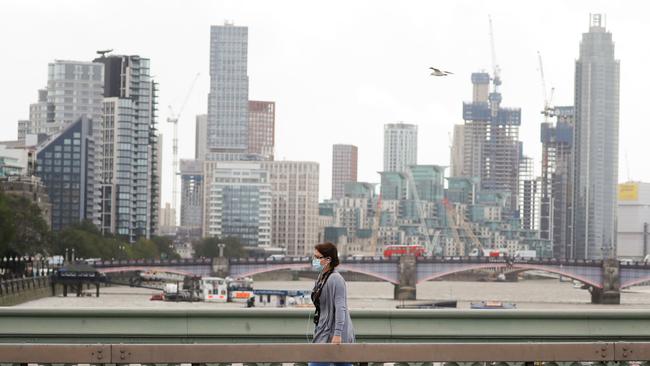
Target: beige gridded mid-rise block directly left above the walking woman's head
column 294, row 186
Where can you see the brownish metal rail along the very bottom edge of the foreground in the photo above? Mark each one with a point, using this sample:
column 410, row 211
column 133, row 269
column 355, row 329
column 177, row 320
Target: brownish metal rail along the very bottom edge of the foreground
column 451, row 353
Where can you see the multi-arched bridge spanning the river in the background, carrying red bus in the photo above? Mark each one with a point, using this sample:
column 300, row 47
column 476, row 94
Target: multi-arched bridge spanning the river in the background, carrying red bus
column 604, row 278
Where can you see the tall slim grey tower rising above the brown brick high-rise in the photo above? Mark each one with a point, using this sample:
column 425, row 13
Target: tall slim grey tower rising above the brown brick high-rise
column 228, row 97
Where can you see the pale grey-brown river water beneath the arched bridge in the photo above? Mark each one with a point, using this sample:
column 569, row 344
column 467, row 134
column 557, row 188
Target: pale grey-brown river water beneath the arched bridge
column 526, row 294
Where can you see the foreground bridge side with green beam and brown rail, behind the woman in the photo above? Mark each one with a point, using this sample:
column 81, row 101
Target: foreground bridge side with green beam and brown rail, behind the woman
column 173, row 336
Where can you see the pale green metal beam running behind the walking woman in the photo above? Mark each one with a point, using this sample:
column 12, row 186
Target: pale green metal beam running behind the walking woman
column 295, row 326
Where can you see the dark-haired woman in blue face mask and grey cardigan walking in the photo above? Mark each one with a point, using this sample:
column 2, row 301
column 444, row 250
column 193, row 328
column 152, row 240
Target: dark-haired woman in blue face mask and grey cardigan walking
column 332, row 318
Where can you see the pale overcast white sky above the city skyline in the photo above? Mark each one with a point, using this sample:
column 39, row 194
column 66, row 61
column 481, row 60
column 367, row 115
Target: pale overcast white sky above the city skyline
column 338, row 70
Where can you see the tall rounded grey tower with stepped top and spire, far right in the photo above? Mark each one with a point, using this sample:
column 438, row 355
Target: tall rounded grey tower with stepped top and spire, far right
column 596, row 143
